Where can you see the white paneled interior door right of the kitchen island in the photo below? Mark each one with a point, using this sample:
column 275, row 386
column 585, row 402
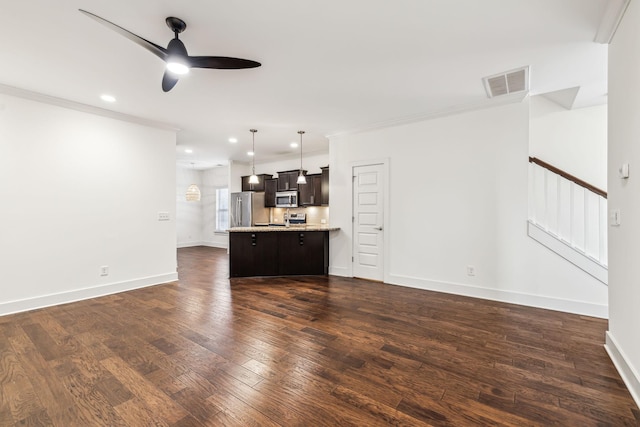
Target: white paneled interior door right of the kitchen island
column 368, row 220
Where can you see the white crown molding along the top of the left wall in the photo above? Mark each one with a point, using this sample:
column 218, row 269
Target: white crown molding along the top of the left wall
column 85, row 108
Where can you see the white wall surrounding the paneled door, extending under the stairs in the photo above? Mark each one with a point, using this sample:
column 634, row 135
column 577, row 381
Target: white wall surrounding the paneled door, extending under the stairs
column 458, row 196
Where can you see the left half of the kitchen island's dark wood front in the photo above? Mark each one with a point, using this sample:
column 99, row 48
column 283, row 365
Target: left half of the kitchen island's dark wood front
column 253, row 254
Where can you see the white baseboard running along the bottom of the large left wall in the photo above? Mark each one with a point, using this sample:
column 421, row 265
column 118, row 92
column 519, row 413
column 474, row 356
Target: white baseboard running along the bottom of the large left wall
column 82, row 294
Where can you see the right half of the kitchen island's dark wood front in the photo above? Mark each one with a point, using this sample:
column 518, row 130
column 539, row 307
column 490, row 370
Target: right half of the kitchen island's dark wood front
column 303, row 253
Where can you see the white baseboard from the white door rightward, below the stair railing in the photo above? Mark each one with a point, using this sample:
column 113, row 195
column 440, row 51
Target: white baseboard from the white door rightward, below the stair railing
column 569, row 306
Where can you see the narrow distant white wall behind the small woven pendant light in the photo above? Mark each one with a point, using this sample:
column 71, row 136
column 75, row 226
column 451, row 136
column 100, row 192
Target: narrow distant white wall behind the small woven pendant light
column 188, row 214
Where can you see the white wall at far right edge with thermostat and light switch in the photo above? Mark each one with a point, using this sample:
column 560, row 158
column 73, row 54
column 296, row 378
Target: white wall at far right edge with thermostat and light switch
column 624, row 241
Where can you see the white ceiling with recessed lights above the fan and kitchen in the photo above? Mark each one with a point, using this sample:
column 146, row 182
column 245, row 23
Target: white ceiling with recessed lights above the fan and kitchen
column 329, row 66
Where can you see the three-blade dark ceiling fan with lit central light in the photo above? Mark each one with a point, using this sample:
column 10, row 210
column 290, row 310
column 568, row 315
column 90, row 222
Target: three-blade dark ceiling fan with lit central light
column 175, row 55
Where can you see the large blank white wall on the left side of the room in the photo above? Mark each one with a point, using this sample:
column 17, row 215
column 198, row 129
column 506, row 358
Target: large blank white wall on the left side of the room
column 81, row 191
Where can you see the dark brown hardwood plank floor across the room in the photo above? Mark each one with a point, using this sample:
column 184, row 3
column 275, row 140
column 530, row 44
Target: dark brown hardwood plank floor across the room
column 306, row 351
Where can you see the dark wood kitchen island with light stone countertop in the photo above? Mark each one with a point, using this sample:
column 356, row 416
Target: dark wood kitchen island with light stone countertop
column 279, row 251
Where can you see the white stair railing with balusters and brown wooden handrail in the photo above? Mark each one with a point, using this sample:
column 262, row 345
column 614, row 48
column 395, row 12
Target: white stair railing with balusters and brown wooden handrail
column 569, row 216
